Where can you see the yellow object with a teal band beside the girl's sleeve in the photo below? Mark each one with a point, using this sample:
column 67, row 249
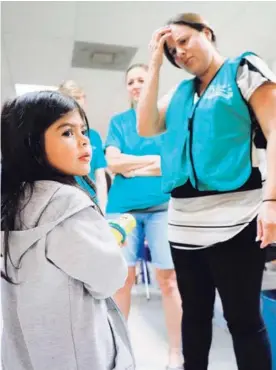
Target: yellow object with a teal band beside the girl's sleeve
column 123, row 226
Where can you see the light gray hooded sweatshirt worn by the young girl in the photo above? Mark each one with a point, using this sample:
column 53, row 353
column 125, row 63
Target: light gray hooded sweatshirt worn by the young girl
column 60, row 316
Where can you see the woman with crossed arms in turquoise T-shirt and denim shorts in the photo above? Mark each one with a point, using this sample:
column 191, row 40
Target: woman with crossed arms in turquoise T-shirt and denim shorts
column 137, row 189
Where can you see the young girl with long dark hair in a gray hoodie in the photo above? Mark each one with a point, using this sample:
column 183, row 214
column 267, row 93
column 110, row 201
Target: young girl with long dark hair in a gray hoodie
column 57, row 247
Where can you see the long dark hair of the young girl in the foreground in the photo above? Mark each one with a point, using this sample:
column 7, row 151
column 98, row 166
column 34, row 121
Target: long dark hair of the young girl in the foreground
column 24, row 121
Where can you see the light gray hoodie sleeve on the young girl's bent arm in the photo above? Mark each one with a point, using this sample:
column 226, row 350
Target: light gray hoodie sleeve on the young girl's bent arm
column 84, row 248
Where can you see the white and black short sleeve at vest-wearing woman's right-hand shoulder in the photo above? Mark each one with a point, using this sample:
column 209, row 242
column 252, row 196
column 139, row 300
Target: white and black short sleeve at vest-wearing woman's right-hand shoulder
column 252, row 73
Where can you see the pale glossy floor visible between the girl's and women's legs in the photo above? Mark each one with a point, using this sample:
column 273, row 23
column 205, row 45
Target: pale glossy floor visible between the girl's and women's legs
column 148, row 335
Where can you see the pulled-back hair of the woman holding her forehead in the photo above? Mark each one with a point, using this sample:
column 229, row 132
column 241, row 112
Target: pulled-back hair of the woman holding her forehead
column 192, row 20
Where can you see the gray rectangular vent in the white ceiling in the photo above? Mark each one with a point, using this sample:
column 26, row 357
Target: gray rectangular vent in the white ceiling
column 102, row 56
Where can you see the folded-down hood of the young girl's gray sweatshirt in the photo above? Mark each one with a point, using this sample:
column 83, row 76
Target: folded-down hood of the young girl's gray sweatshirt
column 37, row 219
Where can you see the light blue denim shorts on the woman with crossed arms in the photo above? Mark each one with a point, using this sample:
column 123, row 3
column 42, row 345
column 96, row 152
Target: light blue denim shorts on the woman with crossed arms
column 153, row 228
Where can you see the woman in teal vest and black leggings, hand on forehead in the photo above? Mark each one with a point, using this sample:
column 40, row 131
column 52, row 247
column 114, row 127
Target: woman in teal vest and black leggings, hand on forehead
column 217, row 126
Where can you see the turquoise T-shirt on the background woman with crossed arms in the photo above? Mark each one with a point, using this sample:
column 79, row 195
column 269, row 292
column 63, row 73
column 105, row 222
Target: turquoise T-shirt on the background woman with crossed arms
column 135, row 193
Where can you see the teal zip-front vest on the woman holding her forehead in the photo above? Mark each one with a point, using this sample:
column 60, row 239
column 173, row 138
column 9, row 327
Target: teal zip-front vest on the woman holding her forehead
column 208, row 141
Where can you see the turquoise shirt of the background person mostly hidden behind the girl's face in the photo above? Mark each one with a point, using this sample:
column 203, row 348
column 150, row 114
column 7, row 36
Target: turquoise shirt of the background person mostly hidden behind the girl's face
column 98, row 160
